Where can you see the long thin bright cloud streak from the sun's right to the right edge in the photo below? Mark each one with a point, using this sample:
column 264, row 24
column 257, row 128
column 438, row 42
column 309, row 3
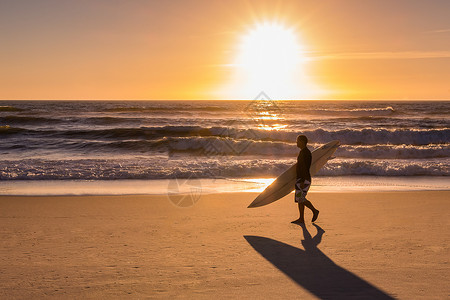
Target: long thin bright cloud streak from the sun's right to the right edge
column 382, row 55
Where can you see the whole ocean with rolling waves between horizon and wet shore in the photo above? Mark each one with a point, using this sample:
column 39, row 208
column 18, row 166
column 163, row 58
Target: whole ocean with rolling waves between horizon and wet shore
column 162, row 140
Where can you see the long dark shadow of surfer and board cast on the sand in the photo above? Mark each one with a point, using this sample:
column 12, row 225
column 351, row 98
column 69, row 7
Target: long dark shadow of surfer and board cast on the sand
column 313, row 270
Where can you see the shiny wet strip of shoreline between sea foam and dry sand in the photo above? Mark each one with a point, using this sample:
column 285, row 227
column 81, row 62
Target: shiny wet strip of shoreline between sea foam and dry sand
column 123, row 187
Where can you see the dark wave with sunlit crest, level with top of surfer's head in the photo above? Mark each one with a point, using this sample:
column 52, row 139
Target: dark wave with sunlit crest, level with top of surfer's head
column 345, row 136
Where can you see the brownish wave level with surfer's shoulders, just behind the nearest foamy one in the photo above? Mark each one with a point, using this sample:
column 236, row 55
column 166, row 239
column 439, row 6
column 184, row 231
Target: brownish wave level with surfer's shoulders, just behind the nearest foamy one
column 217, row 146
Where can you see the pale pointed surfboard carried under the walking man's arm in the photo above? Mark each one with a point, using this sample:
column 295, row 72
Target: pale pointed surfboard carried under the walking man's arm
column 285, row 183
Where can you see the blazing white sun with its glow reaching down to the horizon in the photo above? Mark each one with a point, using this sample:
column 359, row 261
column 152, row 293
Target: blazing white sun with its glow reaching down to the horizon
column 269, row 58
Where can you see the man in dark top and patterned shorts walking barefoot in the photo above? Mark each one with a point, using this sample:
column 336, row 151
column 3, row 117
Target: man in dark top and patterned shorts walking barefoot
column 303, row 180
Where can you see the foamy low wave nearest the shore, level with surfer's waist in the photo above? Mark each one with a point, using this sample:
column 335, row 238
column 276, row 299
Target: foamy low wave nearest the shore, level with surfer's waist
column 160, row 168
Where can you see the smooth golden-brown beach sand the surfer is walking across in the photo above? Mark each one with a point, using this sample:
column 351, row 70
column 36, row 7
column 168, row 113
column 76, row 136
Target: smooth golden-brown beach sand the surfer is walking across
column 365, row 245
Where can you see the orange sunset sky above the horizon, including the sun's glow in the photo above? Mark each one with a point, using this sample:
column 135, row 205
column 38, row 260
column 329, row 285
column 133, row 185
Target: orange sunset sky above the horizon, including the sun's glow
column 192, row 49
